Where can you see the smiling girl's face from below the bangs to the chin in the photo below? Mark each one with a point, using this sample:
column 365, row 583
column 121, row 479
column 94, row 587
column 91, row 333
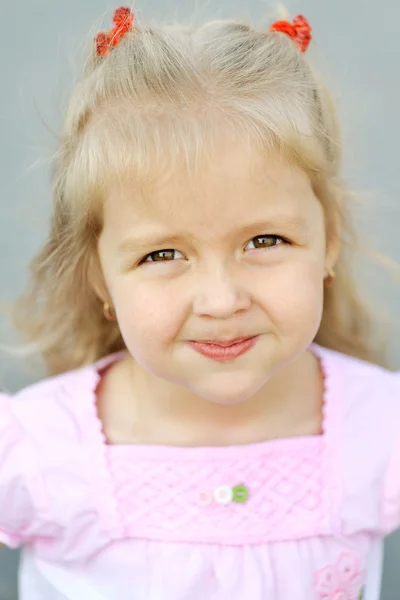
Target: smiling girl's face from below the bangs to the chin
column 236, row 251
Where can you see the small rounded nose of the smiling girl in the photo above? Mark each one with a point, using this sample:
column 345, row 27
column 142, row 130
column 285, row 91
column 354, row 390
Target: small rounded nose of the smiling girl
column 220, row 296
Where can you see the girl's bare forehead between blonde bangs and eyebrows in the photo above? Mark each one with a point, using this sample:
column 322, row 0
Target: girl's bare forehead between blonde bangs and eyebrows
column 231, row 185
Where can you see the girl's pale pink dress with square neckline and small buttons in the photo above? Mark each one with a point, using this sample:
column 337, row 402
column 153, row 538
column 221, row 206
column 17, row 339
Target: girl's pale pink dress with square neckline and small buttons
column 290, row 519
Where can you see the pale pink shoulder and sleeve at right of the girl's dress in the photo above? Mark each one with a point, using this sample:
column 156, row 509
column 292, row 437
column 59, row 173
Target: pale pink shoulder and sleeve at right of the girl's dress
column 363, row 432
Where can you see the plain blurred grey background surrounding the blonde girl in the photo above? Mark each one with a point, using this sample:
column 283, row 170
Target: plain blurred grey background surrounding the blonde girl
column 357, row 42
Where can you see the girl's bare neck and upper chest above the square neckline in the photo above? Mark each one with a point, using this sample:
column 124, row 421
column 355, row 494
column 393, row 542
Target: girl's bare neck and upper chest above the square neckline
column 289, row 404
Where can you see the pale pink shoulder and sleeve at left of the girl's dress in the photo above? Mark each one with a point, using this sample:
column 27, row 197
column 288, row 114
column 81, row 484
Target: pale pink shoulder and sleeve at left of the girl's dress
column 48, row 433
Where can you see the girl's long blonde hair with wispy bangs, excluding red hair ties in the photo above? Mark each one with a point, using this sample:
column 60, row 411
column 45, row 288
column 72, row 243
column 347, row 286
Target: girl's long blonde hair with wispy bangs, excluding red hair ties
column 172, row 92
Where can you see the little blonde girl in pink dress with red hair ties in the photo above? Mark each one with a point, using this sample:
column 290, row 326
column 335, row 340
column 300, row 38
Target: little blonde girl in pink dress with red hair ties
column 215, row 426
